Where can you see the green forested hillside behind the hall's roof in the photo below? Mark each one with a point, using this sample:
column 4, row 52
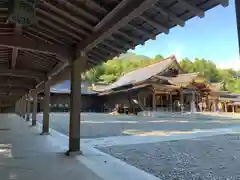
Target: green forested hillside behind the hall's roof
column 111, row 70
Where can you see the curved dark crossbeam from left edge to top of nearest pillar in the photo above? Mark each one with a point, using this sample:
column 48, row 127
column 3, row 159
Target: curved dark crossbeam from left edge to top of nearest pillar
column 20, row 42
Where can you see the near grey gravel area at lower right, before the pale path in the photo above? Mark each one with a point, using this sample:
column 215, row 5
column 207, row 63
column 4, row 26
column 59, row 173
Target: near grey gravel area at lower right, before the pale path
column 209, row 158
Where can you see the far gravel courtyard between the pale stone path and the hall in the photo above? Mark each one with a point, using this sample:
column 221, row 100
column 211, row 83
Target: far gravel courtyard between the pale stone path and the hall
column 95, row 125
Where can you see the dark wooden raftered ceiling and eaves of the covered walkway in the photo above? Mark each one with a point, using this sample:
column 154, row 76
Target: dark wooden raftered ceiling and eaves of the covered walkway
column 31, row 55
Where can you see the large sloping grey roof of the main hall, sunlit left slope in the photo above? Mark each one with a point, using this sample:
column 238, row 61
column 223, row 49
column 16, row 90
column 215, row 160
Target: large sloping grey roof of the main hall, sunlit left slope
column 142, row 74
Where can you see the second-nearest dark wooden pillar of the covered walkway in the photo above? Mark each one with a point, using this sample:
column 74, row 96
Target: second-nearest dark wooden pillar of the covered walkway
column 46, row 102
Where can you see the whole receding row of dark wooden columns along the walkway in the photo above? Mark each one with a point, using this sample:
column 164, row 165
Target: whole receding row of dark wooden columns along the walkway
column 23, row 106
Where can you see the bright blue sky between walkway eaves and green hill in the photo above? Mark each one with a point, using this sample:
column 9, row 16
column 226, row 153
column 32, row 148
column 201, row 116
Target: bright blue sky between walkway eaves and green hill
column 213, row 37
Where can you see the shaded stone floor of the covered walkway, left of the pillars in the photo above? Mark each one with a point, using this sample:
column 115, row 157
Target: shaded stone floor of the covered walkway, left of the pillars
column 26, row 155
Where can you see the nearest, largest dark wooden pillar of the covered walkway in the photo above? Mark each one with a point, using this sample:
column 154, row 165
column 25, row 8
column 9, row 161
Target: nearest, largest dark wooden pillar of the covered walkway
column 77, row 67
